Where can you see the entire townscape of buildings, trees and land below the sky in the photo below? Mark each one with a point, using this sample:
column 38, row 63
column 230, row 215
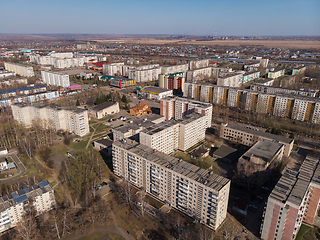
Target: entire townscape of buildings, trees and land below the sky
column 159, row 137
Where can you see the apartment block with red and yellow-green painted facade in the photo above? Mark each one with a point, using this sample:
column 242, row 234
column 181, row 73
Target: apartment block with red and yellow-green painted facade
column 172, row 81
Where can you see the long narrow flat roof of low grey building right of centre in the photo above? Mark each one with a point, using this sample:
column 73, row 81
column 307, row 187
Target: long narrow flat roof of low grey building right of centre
column 256, row 131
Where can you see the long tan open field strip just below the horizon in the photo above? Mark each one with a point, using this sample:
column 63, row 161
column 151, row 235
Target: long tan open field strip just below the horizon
column 266, row 43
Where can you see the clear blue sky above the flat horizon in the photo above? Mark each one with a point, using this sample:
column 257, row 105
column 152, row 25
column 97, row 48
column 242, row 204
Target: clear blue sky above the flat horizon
column 173, row 17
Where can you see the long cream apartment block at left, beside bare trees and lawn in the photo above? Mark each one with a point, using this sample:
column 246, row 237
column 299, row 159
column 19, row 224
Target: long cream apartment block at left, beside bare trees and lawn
column 73, row 120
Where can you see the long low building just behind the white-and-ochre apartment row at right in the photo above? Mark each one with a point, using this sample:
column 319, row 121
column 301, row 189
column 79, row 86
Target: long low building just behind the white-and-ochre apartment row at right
column 273, row 90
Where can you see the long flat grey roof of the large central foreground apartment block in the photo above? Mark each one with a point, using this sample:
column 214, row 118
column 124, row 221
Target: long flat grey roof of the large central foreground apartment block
column 200, row 175
